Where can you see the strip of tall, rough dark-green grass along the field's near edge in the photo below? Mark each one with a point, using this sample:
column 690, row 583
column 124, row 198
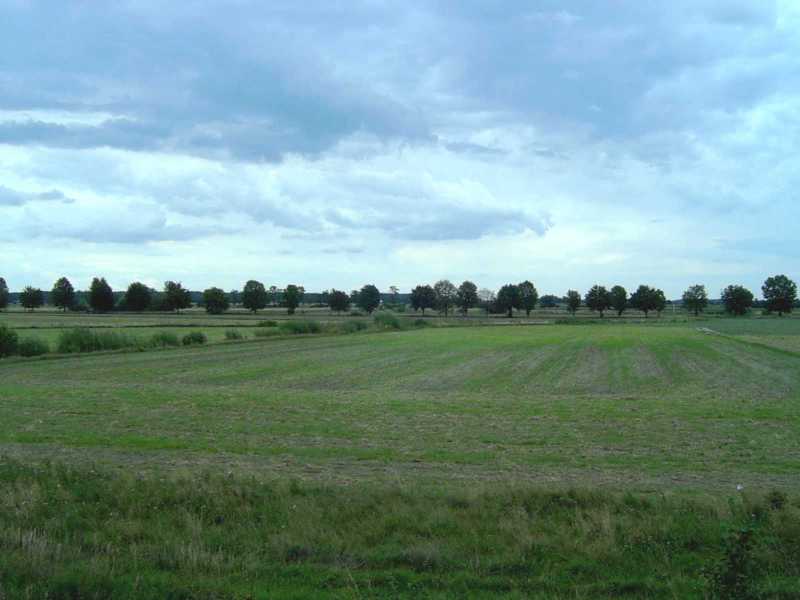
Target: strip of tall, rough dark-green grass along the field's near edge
column 67, row 533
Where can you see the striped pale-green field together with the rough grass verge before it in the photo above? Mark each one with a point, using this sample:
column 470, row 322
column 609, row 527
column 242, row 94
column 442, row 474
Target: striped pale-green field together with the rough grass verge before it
column 418, row 463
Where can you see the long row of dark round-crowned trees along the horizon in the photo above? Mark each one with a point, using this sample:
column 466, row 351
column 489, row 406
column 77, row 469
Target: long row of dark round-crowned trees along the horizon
column 779, row 293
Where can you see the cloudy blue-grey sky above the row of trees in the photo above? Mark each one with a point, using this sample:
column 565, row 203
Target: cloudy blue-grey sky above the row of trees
column 333, row 144
